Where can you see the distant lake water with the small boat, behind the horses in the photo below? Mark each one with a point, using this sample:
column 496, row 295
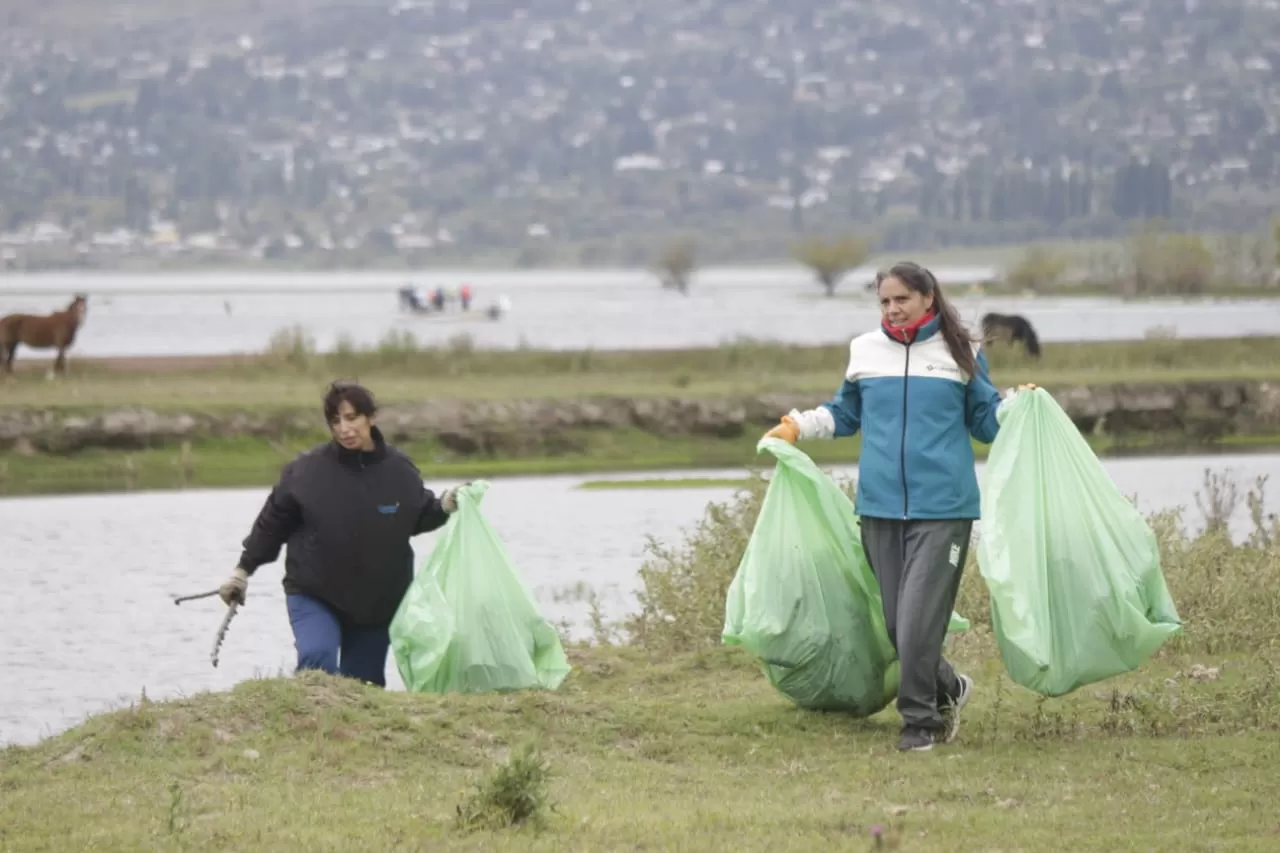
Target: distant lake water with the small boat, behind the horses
column 221, row 313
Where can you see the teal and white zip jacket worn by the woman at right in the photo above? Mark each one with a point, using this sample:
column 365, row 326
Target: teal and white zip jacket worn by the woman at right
column 916, row 409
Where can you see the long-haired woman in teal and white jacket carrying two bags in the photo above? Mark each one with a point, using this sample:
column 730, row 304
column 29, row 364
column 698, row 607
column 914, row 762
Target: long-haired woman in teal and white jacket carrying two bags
column 917, row 389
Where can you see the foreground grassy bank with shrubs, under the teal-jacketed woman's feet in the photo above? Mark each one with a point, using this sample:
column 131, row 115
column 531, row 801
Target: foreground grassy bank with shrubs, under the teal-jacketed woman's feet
column 665, row 741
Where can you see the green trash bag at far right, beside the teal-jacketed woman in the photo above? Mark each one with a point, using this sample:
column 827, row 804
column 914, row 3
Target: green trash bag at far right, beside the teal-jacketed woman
column 1073, row 569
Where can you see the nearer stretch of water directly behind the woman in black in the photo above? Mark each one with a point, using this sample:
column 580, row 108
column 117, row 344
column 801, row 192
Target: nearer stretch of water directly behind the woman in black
column 88, row 622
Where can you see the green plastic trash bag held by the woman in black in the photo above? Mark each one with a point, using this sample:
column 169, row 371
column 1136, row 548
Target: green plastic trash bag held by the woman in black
column 468, row 623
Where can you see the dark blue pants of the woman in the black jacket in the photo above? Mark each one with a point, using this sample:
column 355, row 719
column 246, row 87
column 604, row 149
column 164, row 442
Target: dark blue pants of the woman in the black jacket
column 324, row 642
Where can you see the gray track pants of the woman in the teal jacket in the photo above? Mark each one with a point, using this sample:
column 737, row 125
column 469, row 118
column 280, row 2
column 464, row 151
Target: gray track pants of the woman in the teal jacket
column 918, row 565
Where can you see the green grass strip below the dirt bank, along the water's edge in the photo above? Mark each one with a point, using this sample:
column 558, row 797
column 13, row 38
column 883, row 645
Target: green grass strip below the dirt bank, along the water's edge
column 257, row 463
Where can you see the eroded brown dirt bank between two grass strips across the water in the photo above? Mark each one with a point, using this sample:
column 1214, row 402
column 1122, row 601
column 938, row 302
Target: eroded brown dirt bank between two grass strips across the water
column 1199, row 412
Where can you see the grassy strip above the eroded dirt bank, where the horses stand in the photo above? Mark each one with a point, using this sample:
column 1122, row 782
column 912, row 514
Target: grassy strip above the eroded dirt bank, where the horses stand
column 292, row 375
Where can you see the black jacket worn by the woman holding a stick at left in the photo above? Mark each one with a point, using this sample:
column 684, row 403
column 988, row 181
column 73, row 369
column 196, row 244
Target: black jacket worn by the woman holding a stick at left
column 348, row 518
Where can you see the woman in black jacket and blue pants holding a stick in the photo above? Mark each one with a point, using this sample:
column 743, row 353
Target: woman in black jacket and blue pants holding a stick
column 346, row 510
